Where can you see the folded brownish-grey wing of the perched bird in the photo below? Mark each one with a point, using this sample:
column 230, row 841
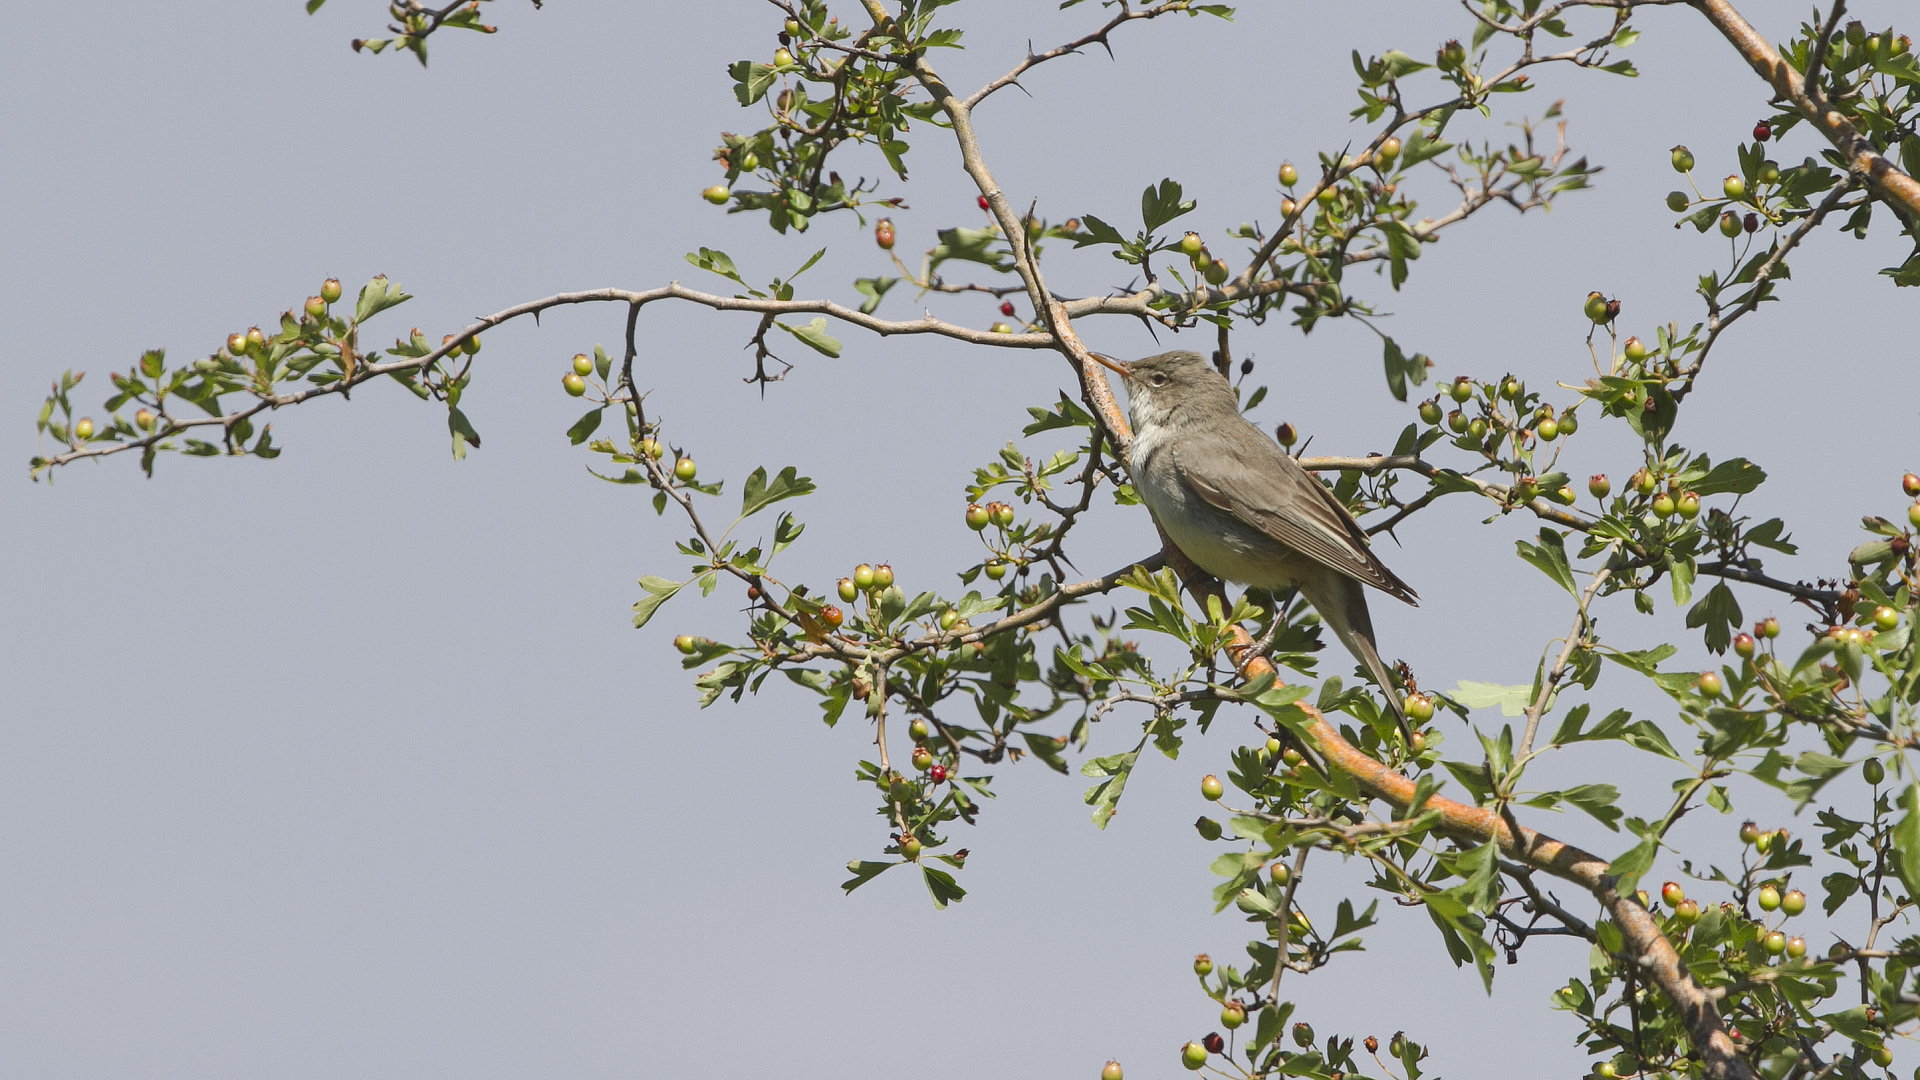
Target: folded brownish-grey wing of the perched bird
column 1259, row 483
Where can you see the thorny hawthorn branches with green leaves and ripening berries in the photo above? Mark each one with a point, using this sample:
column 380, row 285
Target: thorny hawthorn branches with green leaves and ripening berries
column 1706, row 977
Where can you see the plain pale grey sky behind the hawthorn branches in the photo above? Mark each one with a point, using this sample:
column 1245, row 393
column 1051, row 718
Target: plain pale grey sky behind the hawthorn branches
column 350, row 764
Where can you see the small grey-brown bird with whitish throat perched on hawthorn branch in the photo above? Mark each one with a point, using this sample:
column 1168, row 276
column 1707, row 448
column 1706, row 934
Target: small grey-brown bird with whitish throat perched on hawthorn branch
column 1243, row 510
